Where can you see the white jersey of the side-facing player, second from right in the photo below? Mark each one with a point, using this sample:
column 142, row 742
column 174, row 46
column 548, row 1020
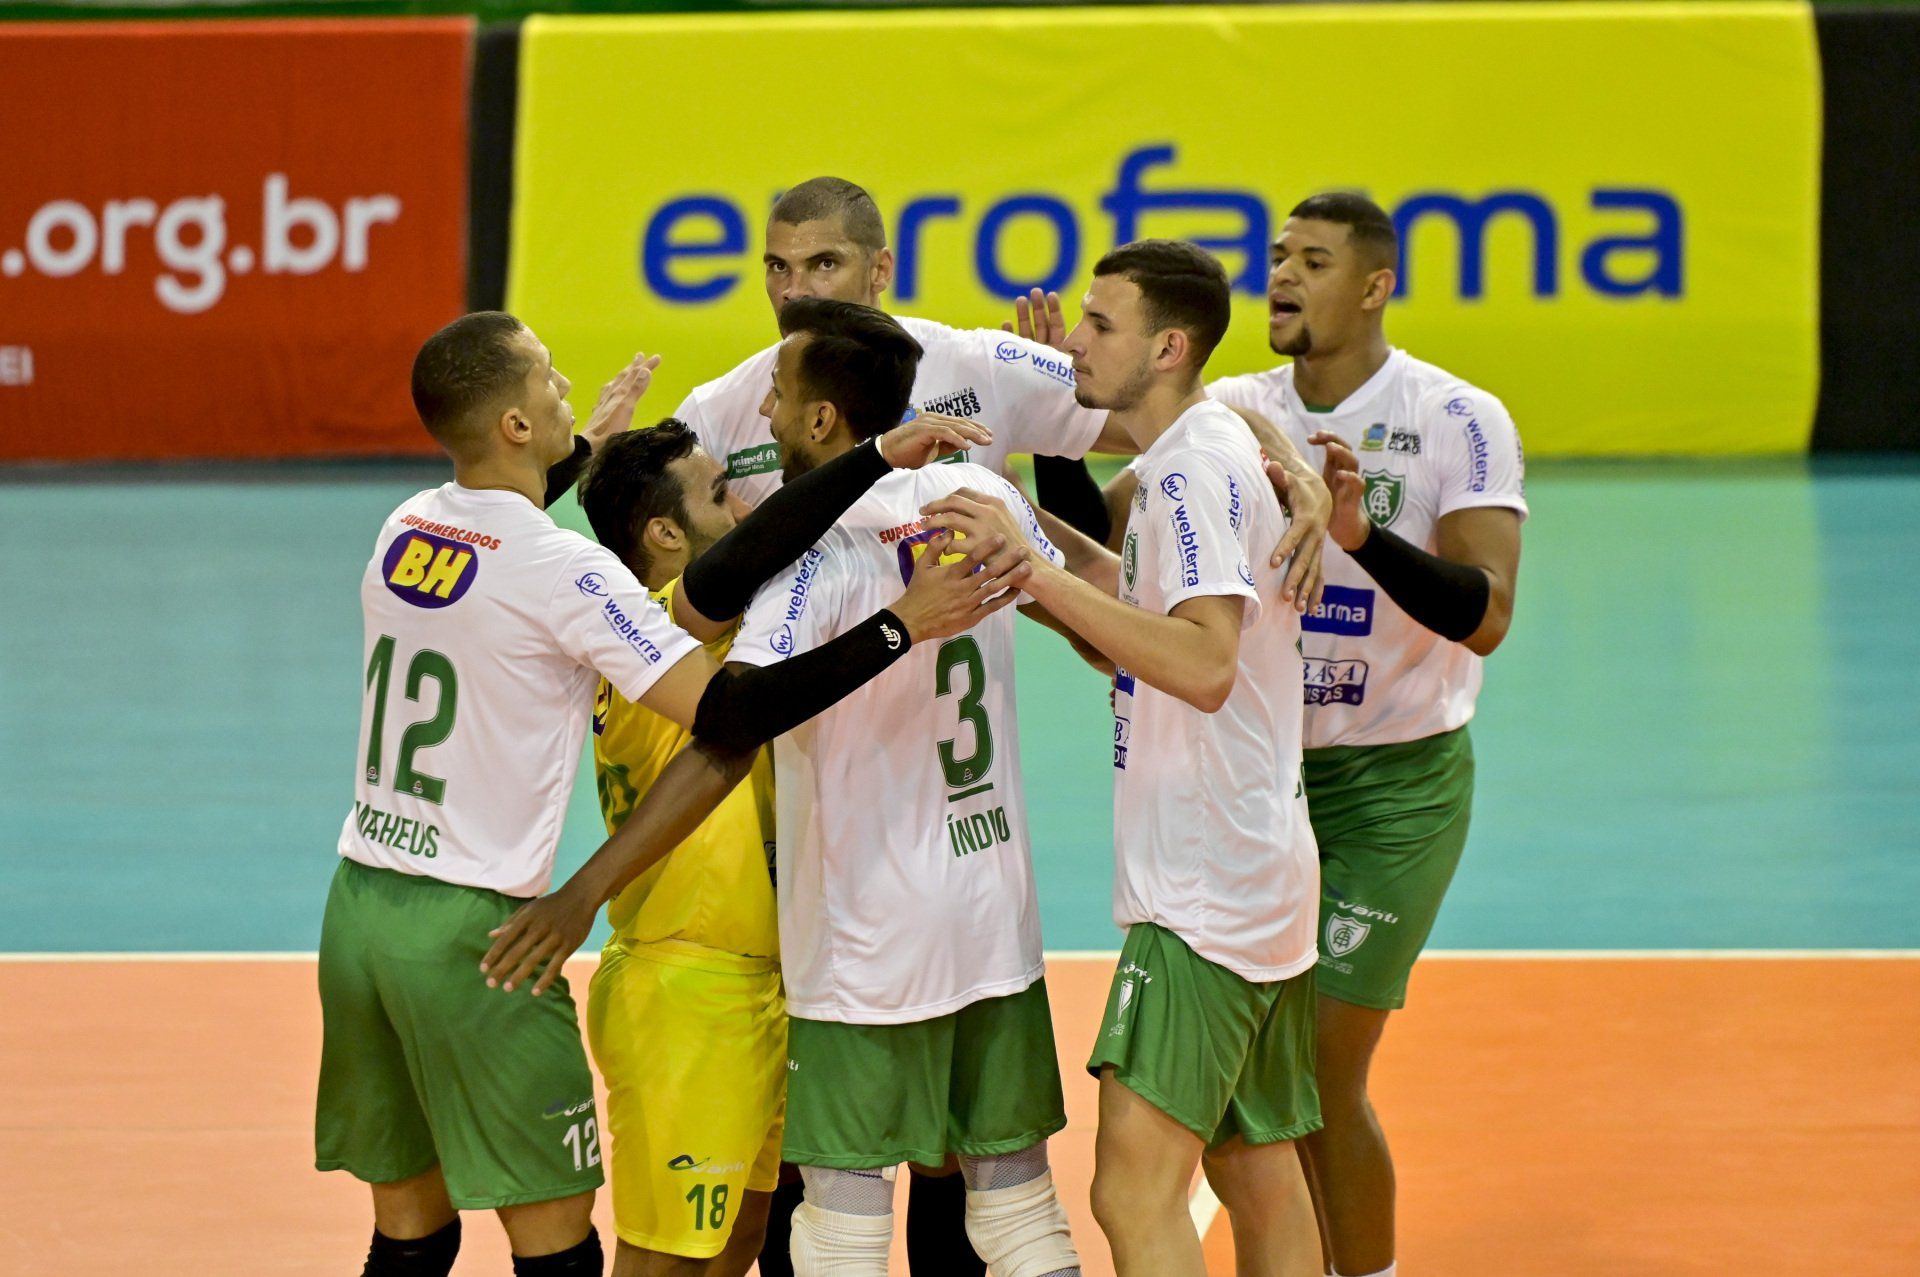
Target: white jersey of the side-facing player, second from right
column 1211, row 825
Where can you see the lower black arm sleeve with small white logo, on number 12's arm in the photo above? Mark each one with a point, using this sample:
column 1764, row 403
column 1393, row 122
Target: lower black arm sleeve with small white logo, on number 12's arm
column 744, row 708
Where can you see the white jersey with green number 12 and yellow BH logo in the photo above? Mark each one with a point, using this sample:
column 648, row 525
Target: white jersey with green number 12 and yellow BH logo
column 487, row 631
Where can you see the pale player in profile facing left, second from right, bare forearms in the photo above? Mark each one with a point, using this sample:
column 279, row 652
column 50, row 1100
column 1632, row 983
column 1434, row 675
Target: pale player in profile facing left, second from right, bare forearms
column 1207, row 1049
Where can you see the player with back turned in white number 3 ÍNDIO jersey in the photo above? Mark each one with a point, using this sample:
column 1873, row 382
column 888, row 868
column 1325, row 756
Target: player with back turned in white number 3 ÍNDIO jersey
column 909, row 927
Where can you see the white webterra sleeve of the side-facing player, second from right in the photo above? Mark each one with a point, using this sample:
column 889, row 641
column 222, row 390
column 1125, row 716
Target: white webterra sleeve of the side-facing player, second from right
column 1203, row 512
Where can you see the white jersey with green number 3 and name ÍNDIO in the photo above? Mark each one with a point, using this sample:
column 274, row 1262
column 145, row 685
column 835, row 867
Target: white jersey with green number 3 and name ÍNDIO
column 903, row 861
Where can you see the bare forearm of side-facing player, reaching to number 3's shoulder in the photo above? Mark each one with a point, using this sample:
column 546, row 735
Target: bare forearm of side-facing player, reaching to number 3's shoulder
column 1172, row 654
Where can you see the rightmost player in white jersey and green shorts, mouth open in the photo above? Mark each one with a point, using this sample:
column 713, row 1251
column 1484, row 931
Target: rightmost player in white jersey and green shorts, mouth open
column 1420, row 589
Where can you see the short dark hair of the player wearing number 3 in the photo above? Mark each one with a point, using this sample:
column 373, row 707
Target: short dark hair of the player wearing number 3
column 859, row 360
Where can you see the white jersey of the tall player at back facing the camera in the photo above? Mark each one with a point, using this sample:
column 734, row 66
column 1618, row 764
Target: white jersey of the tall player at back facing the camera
column 1017, row 389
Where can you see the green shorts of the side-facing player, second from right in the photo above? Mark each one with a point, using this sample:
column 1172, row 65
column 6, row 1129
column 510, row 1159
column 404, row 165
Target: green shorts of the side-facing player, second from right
column 1216, row 1053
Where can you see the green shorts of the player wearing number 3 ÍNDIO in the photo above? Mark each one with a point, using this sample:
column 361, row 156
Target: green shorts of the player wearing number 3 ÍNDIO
column 978, row 1082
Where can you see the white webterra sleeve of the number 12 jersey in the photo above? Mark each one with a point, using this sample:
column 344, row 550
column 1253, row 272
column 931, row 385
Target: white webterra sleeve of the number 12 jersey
column 606, row 619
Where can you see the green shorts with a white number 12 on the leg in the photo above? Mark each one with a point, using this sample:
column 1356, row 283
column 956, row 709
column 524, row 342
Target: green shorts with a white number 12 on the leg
column 423, row 1065
